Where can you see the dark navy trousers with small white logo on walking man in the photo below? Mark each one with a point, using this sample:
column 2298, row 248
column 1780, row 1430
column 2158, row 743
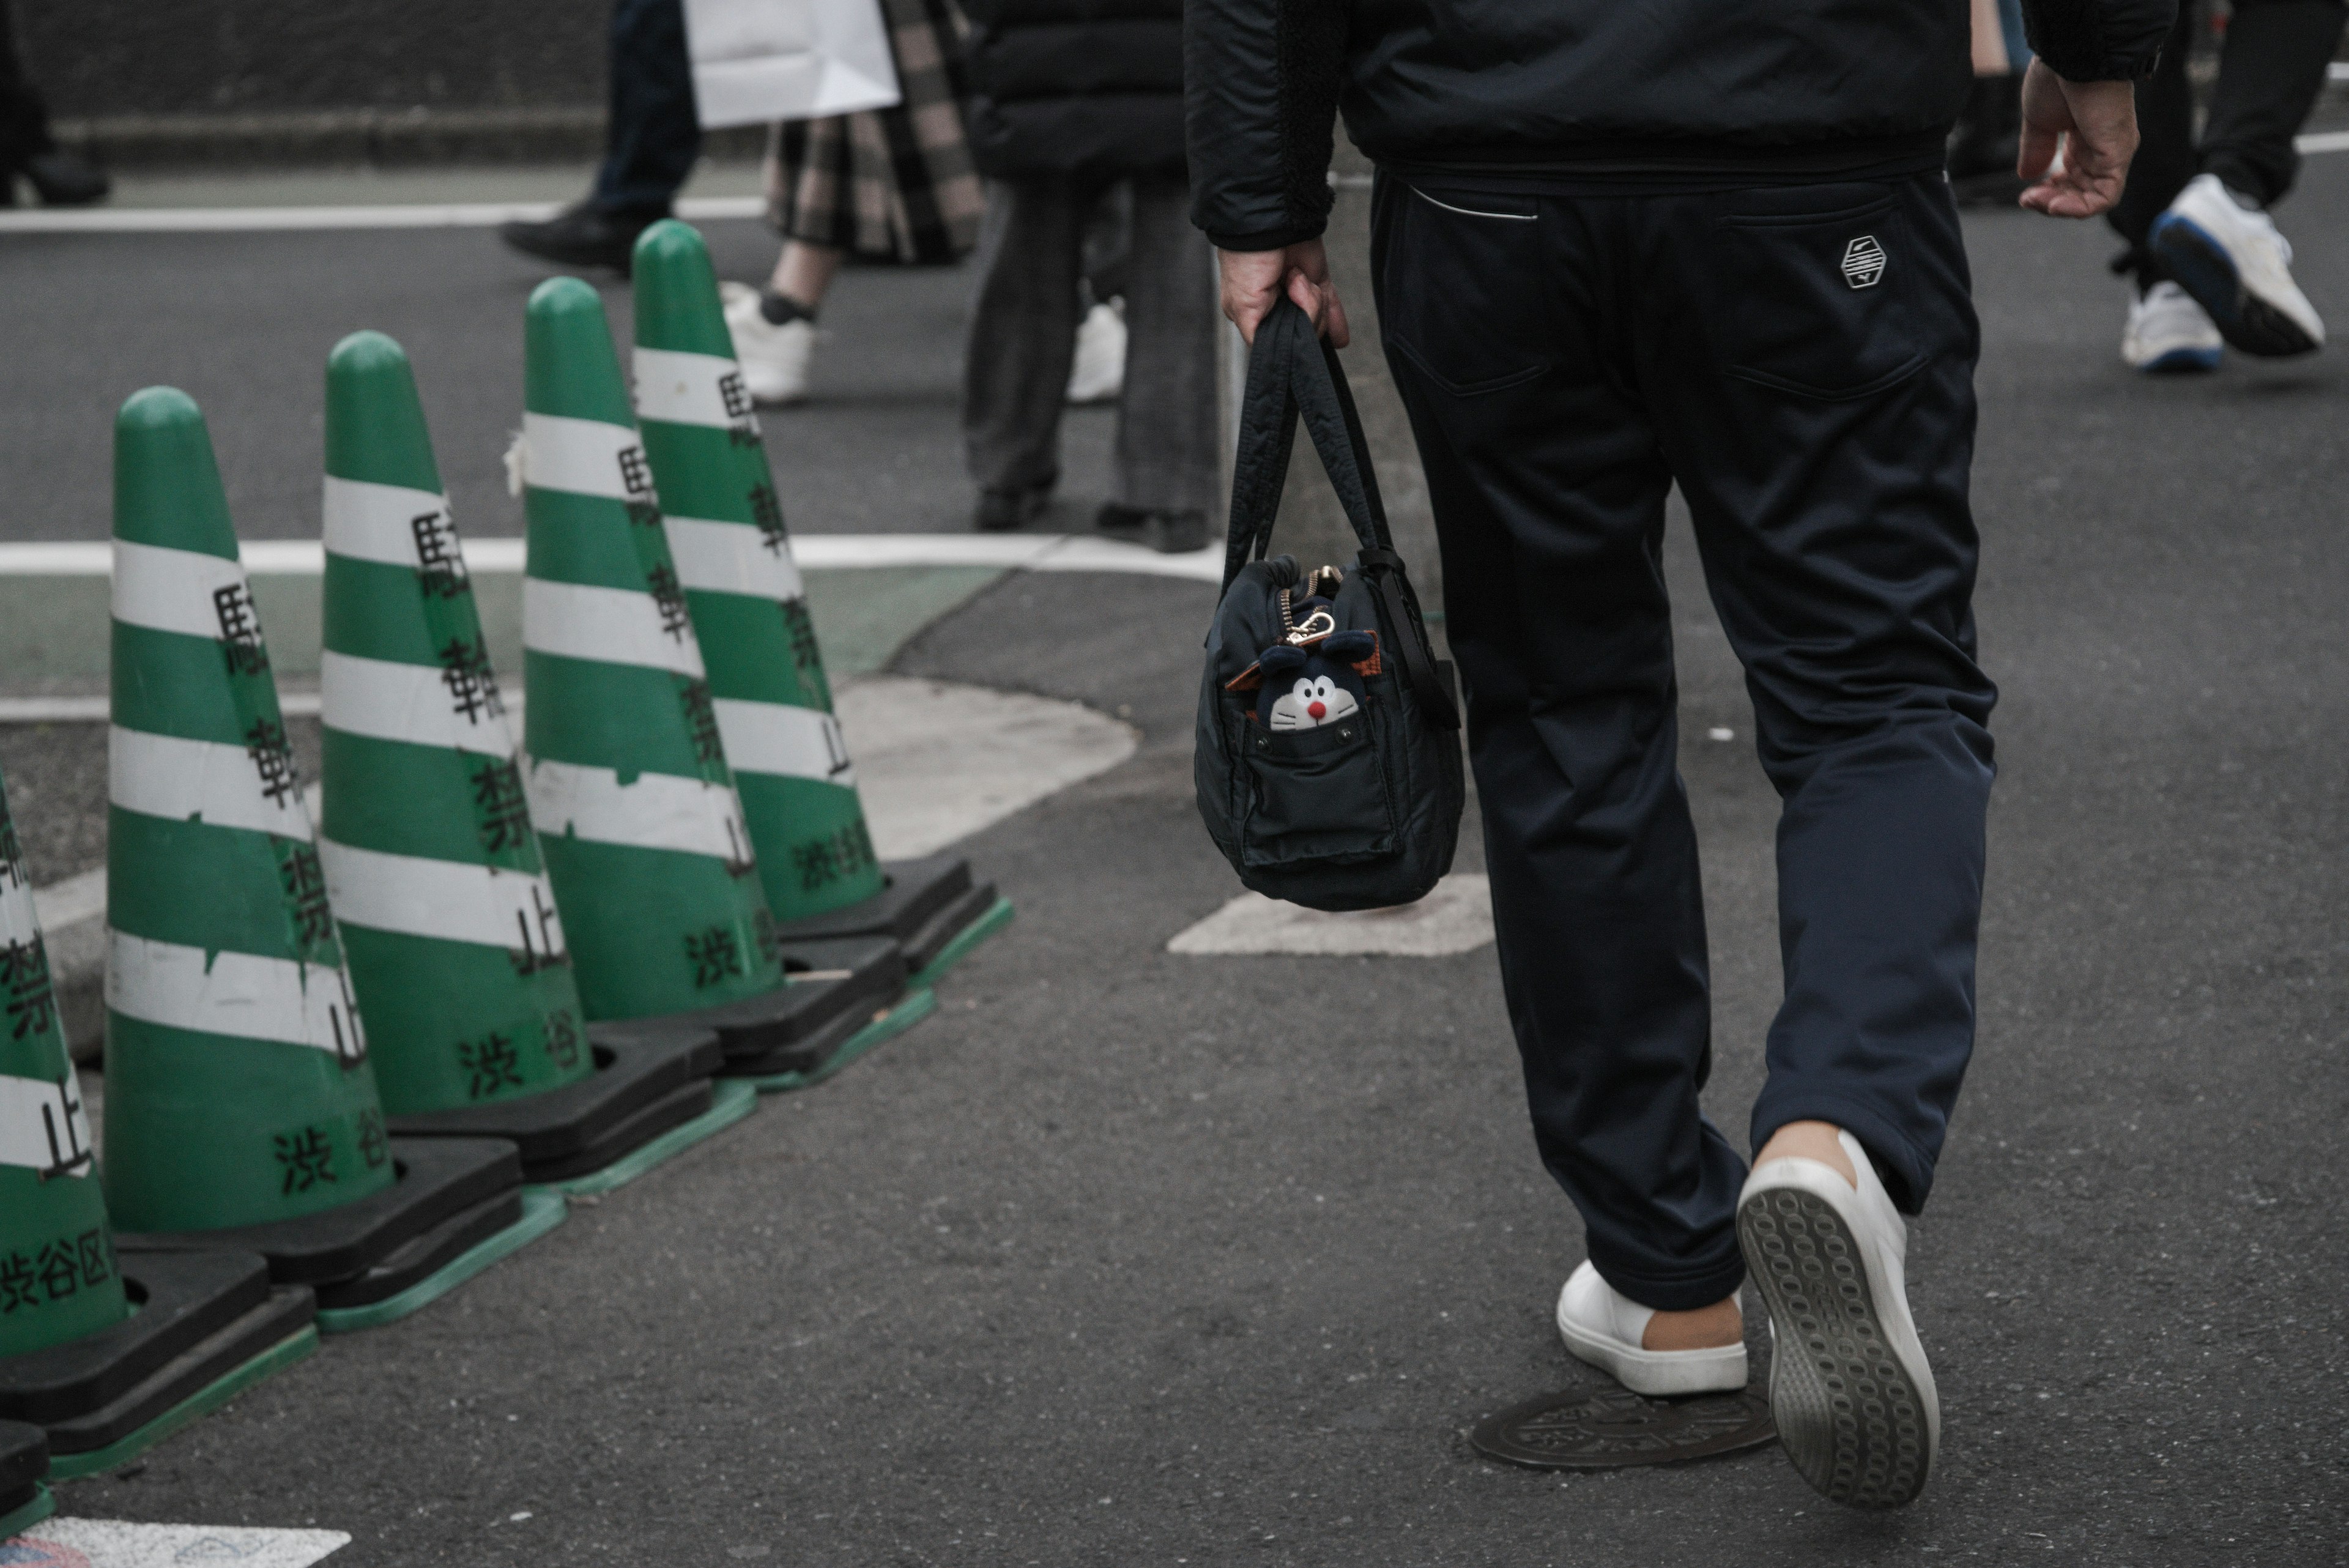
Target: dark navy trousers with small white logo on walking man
column 1801, row 363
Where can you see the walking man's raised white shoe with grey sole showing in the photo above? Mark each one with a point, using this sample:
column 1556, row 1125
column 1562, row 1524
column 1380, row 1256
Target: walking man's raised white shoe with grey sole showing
column 1847, row 1376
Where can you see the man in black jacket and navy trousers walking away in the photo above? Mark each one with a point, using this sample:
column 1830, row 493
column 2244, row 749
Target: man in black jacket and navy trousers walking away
column 1697, row 243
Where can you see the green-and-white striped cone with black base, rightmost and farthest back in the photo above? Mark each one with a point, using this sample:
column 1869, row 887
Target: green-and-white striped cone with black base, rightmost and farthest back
column 767, row 674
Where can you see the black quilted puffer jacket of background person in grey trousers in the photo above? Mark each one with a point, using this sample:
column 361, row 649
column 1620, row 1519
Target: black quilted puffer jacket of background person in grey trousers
column 1077, row 86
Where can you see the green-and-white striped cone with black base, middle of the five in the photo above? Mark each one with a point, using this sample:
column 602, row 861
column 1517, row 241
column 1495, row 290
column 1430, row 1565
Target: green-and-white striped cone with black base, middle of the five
column 455, row 944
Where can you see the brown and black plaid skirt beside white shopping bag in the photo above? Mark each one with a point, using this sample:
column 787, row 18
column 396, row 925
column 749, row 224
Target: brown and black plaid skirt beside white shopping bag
column 889, row 185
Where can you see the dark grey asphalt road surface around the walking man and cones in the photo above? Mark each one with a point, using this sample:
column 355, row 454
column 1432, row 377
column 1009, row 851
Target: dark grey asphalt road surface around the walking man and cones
column 1145, row 1259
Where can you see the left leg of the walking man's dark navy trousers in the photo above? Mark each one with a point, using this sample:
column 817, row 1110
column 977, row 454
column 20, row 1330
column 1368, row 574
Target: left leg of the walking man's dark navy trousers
column 1549, row 507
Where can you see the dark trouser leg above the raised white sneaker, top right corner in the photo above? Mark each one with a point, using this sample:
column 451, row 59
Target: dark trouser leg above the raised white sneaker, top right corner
column 2268, row 81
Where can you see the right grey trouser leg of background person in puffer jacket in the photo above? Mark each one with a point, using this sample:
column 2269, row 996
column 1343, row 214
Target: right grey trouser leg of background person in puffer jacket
column 1166, row 424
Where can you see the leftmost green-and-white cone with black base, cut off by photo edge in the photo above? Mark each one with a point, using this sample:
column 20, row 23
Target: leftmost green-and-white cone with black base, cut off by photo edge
column 100, row 1381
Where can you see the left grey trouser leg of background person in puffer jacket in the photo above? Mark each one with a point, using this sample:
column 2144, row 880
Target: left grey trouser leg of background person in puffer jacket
column 1016, row 368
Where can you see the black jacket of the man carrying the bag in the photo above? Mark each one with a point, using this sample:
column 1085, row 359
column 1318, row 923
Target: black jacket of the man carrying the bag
column 1591, row 86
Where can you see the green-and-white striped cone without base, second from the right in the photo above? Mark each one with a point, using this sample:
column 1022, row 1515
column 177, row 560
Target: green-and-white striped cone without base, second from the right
column 626, row 770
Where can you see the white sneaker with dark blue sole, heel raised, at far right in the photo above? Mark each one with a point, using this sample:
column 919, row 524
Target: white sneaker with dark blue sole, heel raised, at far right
column 2240, row 267
